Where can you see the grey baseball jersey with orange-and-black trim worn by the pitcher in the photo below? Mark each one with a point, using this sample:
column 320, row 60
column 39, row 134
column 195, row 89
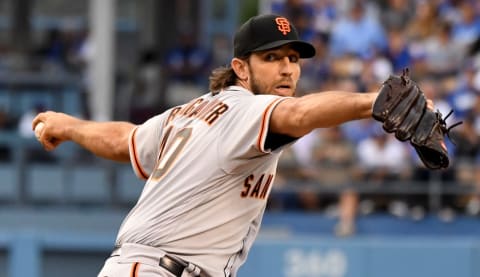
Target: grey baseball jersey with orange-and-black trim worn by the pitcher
column 208, row 175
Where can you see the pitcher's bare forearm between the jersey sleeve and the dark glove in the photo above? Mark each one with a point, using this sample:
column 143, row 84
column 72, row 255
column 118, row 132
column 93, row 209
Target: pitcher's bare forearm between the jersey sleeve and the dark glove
column 298, row 116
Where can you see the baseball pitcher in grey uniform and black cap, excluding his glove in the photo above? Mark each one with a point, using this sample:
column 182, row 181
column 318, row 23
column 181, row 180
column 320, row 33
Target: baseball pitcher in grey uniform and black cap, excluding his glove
column 209, row 165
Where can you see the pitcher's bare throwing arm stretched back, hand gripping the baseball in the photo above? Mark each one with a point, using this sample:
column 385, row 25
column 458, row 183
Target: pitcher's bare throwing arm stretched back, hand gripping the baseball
column 108, row 140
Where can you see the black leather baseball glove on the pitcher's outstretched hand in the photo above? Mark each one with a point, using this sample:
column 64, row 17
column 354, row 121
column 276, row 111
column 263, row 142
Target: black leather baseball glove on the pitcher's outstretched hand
column 402, row 108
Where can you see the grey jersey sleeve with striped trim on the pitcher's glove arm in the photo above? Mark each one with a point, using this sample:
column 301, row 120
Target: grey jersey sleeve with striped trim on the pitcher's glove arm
column 245, row 136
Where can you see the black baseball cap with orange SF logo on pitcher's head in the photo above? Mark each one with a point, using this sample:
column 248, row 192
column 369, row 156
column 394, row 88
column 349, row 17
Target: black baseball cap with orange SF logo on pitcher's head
column 268, row 31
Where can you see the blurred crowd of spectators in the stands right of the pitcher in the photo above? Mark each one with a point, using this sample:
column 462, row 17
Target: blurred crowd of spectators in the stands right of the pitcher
column 359, row 44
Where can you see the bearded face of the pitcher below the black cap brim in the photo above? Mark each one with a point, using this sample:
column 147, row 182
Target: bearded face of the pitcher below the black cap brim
column 275, row 71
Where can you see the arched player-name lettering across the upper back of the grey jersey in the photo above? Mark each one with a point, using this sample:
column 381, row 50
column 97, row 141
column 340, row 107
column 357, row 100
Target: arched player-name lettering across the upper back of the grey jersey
column 206, row 110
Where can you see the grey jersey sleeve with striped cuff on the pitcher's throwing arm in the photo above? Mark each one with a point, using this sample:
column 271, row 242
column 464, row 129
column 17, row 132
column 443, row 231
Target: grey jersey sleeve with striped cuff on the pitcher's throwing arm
column 144, row 144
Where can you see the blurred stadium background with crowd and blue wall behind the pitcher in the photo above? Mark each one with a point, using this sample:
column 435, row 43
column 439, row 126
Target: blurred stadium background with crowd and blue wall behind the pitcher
column 349, row 201
